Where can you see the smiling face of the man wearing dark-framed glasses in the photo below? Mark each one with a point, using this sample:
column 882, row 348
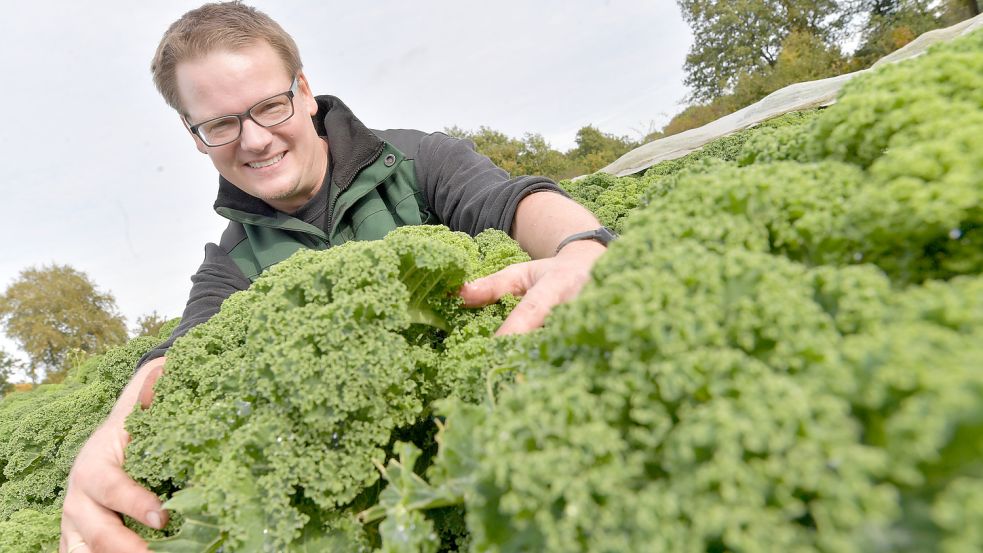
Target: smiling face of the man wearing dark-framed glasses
column 282, row 165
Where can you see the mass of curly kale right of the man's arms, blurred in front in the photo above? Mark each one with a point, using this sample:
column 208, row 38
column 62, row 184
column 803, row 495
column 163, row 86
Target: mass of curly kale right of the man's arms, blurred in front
column 781, row 354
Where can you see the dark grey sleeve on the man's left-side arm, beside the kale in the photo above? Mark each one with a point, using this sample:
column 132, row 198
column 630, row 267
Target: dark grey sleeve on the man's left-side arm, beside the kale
column 216, row 279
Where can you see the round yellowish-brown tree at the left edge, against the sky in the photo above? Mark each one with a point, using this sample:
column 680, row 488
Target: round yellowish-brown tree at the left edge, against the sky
column 54, row 311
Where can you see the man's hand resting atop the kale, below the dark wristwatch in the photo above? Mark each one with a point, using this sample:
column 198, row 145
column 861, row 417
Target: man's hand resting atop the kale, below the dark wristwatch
column 542, row 284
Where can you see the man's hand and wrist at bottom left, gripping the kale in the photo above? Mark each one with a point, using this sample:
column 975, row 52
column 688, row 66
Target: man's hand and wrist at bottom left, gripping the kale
column 98, row 488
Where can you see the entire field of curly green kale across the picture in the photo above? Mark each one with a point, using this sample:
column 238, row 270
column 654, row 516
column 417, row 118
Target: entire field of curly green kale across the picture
column 783, row 352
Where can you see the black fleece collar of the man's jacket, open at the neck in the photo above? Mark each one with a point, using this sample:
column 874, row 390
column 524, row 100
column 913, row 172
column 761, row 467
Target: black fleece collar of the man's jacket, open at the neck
column 353, row 147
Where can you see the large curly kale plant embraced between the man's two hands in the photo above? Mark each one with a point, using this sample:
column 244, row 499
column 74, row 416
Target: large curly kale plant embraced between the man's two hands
column 271, row 416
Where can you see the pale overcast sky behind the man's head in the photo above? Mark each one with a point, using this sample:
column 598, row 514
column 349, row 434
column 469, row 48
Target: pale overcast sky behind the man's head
column 99, row 173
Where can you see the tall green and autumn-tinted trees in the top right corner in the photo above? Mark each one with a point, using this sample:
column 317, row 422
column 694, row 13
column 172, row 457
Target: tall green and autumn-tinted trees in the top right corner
column 729, row 73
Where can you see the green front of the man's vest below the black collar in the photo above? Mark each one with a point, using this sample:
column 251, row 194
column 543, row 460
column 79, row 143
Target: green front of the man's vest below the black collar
column 384, row 195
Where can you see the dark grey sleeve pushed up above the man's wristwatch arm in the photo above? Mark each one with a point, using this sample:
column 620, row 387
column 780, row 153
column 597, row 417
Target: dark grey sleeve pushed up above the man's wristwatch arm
column 466, row 190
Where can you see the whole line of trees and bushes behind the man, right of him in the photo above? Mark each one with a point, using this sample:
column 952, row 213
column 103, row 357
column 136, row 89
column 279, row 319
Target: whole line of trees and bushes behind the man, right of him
column 742, row 51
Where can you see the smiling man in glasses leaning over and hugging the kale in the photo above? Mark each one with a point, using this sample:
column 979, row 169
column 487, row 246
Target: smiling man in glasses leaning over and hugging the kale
column 299, row 171
